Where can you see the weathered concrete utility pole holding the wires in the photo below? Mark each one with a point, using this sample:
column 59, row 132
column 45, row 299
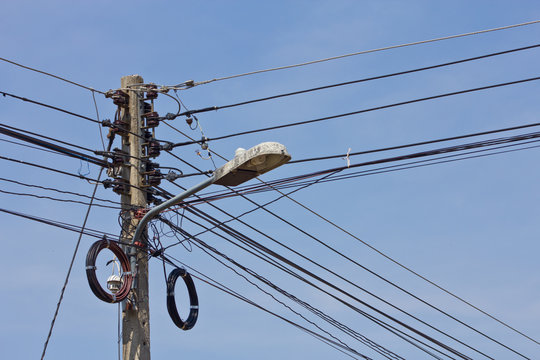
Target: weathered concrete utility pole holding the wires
column 136, row 315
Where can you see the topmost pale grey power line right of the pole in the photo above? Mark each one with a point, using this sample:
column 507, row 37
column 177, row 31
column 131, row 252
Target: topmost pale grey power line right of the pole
column 191, row 83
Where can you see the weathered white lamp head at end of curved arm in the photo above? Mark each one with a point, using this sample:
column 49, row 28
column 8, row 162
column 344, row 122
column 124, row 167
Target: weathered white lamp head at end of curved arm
column 248, row 164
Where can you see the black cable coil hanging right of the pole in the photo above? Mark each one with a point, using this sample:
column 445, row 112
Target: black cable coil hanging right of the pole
column 193, row 300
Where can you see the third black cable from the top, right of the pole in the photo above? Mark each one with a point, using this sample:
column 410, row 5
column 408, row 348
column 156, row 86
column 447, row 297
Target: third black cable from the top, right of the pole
column 362, row 111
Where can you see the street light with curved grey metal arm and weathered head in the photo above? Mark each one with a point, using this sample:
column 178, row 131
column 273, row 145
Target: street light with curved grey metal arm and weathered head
column 246, row 165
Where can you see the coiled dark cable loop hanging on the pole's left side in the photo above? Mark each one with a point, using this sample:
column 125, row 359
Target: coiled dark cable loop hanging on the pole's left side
column 126, row 275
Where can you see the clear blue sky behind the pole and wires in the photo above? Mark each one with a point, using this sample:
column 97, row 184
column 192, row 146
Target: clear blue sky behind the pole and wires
column 470, row 226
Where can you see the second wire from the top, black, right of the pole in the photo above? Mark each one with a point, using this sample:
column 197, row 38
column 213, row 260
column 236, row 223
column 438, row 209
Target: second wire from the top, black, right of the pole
column 215, row 108
